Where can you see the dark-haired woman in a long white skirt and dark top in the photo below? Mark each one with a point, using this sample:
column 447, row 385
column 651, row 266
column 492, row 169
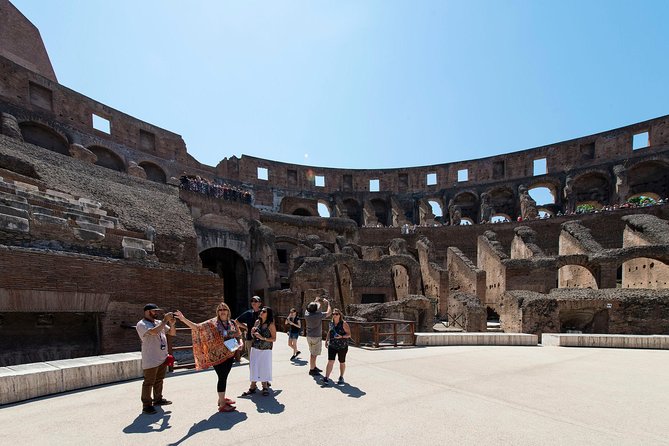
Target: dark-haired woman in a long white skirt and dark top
column 260, row 364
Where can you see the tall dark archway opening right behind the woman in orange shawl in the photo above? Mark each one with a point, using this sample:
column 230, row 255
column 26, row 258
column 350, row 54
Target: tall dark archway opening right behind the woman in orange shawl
column 231, row 267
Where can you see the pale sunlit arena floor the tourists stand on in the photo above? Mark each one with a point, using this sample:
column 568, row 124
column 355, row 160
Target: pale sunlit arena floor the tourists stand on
column 453, row 395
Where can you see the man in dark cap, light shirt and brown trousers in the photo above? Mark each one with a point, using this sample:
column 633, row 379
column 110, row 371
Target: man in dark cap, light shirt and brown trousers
column 153, row 334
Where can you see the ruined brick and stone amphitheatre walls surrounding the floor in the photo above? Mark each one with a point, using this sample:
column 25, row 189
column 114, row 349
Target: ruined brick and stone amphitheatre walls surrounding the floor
column 94, row 223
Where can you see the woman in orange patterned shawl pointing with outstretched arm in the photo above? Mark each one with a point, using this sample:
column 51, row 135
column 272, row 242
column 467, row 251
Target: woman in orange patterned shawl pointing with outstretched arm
column 214, row 344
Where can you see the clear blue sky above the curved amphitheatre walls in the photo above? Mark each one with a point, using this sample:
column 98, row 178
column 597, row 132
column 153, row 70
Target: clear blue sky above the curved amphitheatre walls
column 364, row 84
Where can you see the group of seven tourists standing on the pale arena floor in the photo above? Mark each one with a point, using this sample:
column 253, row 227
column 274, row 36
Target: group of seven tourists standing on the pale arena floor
column 219, row 341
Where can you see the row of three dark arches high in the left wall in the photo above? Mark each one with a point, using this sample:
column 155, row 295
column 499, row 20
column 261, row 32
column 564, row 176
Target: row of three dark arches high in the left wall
column 55, row 141
